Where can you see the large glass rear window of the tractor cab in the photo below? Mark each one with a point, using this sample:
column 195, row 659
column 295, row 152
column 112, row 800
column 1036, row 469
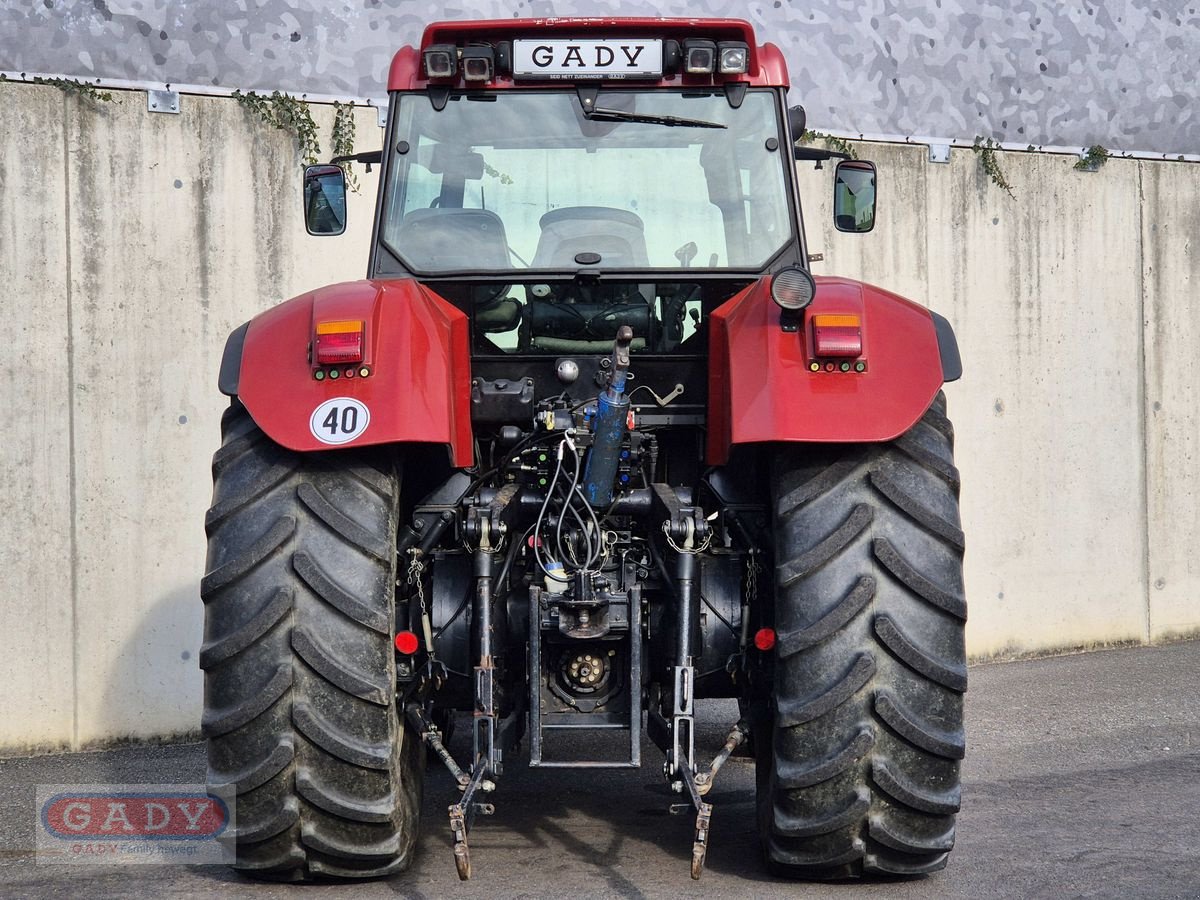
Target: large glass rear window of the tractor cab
column 517, row 182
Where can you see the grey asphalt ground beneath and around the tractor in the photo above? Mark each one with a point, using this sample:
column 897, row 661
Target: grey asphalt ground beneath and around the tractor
column 1082, row 781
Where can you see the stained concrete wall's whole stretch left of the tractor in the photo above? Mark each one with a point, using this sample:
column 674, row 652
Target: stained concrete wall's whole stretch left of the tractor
column 131, row 244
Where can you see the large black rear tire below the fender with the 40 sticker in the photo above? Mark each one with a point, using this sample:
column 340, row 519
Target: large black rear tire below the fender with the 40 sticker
column 301, row 683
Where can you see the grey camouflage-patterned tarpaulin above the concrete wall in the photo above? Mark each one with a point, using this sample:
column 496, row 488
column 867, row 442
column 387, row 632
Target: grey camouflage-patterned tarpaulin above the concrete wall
column 1055, row 73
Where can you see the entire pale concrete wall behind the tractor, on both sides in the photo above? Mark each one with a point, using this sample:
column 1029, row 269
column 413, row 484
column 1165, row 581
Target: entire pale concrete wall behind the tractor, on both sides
column 133, row 243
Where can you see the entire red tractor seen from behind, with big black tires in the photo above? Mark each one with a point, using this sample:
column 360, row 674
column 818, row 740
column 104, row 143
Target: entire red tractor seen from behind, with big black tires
column 589, row 446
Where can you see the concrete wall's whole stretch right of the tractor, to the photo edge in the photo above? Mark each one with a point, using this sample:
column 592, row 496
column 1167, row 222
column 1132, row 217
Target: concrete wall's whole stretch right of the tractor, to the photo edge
column 1072, row 309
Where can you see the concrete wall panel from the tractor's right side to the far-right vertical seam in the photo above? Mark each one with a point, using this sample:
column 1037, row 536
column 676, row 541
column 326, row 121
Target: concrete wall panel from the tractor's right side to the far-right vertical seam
column 1043, row 293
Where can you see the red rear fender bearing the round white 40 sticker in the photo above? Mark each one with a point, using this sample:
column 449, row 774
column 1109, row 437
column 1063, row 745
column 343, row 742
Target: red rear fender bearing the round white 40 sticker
column 417, row 350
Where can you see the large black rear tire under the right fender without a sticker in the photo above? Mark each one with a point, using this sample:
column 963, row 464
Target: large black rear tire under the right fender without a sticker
column 866, row 724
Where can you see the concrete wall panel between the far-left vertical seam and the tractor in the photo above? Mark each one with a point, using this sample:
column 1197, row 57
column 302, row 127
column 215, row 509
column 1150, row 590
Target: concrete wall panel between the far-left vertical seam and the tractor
column 183, row 229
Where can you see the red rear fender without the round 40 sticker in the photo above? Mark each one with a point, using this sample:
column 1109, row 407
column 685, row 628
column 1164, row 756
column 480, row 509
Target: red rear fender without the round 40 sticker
column 761, row 388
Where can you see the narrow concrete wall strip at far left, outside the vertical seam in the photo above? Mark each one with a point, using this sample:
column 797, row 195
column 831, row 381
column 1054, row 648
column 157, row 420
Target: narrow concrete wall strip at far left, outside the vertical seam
column 38, row 669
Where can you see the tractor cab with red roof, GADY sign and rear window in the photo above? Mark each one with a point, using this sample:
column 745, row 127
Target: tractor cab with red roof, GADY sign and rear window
column 557, row 181
